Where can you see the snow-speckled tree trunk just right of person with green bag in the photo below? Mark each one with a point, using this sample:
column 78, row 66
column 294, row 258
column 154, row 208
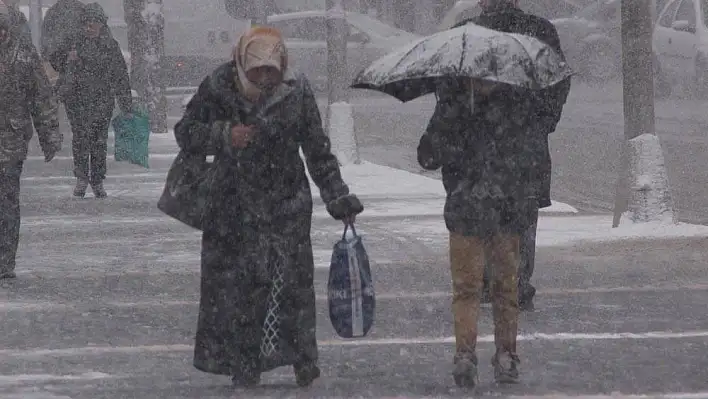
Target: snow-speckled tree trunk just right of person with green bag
column 146, row 42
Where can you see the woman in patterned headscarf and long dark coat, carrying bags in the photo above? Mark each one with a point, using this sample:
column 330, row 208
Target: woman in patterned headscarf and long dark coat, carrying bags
column 257, row 307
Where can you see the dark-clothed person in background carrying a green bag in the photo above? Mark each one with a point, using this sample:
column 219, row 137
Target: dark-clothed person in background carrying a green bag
column 95, row 76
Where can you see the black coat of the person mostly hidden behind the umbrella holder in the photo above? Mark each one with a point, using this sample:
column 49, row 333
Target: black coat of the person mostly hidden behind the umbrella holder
column 548, row 103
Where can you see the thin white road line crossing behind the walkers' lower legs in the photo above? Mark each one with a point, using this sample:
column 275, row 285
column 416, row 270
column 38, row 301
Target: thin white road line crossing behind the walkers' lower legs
column 104, row 350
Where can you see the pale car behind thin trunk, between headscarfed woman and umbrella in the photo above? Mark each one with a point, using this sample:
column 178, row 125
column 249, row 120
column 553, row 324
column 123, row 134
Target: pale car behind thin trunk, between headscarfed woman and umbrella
column 306, row 40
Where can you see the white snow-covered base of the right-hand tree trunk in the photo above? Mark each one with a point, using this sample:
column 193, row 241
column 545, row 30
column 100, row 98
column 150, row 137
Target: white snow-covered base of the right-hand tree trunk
column 650, row 198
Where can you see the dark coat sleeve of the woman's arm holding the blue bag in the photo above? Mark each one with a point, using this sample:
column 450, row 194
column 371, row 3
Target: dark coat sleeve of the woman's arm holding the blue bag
column 321, row 162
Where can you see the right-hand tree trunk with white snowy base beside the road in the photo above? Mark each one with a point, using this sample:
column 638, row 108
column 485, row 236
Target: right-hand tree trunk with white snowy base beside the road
column 640, row 177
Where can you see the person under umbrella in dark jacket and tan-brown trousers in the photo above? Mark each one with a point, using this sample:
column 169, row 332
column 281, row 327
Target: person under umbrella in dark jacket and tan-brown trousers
column 478, row 135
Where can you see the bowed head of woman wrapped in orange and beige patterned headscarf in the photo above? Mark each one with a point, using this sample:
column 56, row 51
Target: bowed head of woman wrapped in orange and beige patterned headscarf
column 261, row 61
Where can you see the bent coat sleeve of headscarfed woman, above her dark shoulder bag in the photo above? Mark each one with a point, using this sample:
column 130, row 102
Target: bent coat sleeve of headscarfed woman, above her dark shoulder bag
column 198, row 131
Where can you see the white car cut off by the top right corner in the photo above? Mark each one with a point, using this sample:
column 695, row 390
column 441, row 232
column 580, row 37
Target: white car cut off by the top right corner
column 681, row 44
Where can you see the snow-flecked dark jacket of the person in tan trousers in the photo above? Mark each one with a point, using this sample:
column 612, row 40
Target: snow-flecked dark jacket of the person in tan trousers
column 487, row 167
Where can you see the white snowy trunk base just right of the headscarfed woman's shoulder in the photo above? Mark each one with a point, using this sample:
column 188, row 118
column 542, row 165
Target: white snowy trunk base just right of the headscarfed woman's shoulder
column 341, row 132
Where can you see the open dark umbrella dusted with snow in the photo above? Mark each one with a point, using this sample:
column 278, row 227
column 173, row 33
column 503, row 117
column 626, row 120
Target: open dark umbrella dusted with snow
column 469, row 51
